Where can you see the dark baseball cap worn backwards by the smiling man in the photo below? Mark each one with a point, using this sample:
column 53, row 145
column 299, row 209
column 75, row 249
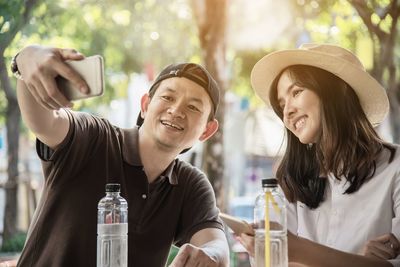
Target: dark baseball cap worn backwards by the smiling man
column 193, row 72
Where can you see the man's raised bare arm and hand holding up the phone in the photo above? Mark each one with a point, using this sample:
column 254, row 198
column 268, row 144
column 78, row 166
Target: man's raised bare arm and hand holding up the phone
column 39, row 98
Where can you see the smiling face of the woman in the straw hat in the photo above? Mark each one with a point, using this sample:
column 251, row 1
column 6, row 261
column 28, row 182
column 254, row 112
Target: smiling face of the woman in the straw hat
column 301, row 108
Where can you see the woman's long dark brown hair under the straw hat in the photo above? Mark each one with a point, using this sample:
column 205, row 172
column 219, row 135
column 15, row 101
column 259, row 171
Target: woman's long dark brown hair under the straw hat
column 348, row 145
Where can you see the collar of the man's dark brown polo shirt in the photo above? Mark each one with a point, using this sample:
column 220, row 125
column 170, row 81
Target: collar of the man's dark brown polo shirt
column 130, row 153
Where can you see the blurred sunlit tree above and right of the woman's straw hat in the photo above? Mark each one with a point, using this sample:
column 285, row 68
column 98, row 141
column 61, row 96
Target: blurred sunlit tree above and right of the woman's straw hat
column 367, row 27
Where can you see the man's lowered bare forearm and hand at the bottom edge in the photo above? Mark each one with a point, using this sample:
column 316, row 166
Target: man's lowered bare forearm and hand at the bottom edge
column 207, row 247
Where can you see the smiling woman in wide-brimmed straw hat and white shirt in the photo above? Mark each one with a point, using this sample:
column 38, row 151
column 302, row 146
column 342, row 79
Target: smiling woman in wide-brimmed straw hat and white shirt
column 342, row 179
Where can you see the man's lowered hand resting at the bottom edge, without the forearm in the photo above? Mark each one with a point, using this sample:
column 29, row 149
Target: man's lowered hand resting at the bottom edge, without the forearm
column 190, row 255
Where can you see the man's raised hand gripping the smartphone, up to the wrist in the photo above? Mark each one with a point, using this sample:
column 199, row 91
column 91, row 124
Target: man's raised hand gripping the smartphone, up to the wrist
column 40, row 65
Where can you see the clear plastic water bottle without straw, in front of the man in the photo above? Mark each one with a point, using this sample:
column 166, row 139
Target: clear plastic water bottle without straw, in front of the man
column 112, row 229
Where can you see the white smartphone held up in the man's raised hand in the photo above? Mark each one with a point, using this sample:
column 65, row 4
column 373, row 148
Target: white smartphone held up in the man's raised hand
column 92, row 71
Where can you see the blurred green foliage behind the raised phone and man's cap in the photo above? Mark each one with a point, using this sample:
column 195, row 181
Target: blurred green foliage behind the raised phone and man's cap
column 129, row 34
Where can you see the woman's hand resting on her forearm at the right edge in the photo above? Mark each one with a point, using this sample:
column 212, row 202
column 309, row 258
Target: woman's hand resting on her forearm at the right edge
column 384, row 247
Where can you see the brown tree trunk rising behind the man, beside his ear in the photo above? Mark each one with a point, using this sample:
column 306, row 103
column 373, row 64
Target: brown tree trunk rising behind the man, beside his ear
column 211, row 21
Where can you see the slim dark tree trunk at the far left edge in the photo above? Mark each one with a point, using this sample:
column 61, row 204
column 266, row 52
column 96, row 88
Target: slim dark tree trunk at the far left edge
column 13, row 118
